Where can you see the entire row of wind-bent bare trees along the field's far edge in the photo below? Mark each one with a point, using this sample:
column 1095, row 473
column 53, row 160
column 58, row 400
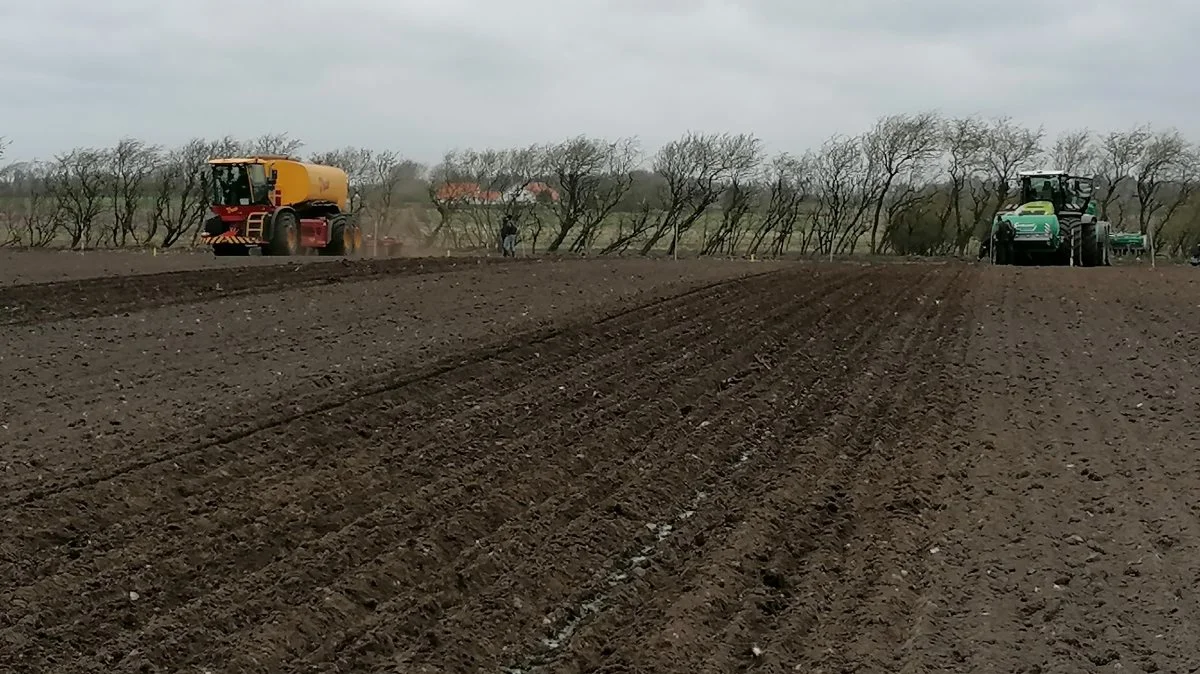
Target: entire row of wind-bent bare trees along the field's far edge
column 914, row 184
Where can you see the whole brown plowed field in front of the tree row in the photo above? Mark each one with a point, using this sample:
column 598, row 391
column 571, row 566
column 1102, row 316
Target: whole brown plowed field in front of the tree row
column 443, row 466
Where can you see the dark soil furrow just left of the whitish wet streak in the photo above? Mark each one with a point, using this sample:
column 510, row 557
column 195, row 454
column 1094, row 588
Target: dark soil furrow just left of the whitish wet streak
column 621, row 505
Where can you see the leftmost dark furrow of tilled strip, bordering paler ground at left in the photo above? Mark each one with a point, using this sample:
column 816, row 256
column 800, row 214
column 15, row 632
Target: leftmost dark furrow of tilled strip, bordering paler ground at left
column 215, row 465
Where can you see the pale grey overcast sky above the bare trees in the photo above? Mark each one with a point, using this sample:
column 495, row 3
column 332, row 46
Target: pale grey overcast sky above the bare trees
column 425, row 76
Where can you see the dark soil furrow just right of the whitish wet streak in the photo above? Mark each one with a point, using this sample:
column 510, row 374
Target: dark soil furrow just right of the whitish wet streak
column 803, row 505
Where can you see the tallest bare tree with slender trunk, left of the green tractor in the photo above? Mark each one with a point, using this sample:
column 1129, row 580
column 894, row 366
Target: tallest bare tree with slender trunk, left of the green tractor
column 899, row 145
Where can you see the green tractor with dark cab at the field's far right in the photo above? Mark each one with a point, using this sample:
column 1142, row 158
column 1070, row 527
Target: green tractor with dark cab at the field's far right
column 1054, row 225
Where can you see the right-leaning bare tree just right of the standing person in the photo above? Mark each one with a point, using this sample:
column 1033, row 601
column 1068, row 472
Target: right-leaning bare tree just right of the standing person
column 591, row 177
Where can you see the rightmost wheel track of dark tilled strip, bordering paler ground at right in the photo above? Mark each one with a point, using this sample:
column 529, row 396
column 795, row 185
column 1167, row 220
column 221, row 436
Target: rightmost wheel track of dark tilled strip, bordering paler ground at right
column 872, row 577
